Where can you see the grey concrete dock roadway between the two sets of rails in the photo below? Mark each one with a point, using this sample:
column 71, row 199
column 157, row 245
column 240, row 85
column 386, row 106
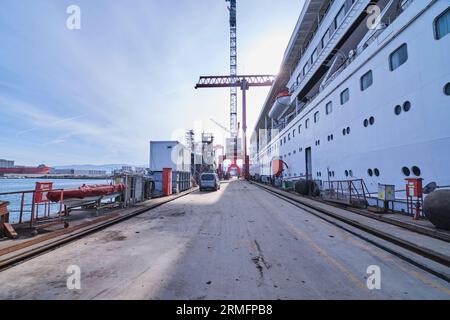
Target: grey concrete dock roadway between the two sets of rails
column 238, row 243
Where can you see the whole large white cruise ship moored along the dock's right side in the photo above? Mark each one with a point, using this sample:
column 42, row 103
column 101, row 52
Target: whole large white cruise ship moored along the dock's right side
column 363, row 93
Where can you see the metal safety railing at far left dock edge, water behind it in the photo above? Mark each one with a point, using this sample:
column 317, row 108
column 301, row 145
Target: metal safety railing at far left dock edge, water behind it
column 28, row 206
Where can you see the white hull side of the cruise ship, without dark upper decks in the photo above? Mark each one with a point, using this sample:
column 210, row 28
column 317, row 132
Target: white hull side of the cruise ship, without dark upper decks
column 364, row 138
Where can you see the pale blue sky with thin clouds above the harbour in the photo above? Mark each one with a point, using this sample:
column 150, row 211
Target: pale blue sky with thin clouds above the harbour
column 100, row 94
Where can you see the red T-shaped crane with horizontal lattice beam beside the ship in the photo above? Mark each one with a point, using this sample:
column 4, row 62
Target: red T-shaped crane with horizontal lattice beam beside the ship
column 244, row 82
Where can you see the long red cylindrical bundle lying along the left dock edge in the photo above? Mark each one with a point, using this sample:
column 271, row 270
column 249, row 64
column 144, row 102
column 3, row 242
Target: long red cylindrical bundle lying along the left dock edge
column 86, row 192
